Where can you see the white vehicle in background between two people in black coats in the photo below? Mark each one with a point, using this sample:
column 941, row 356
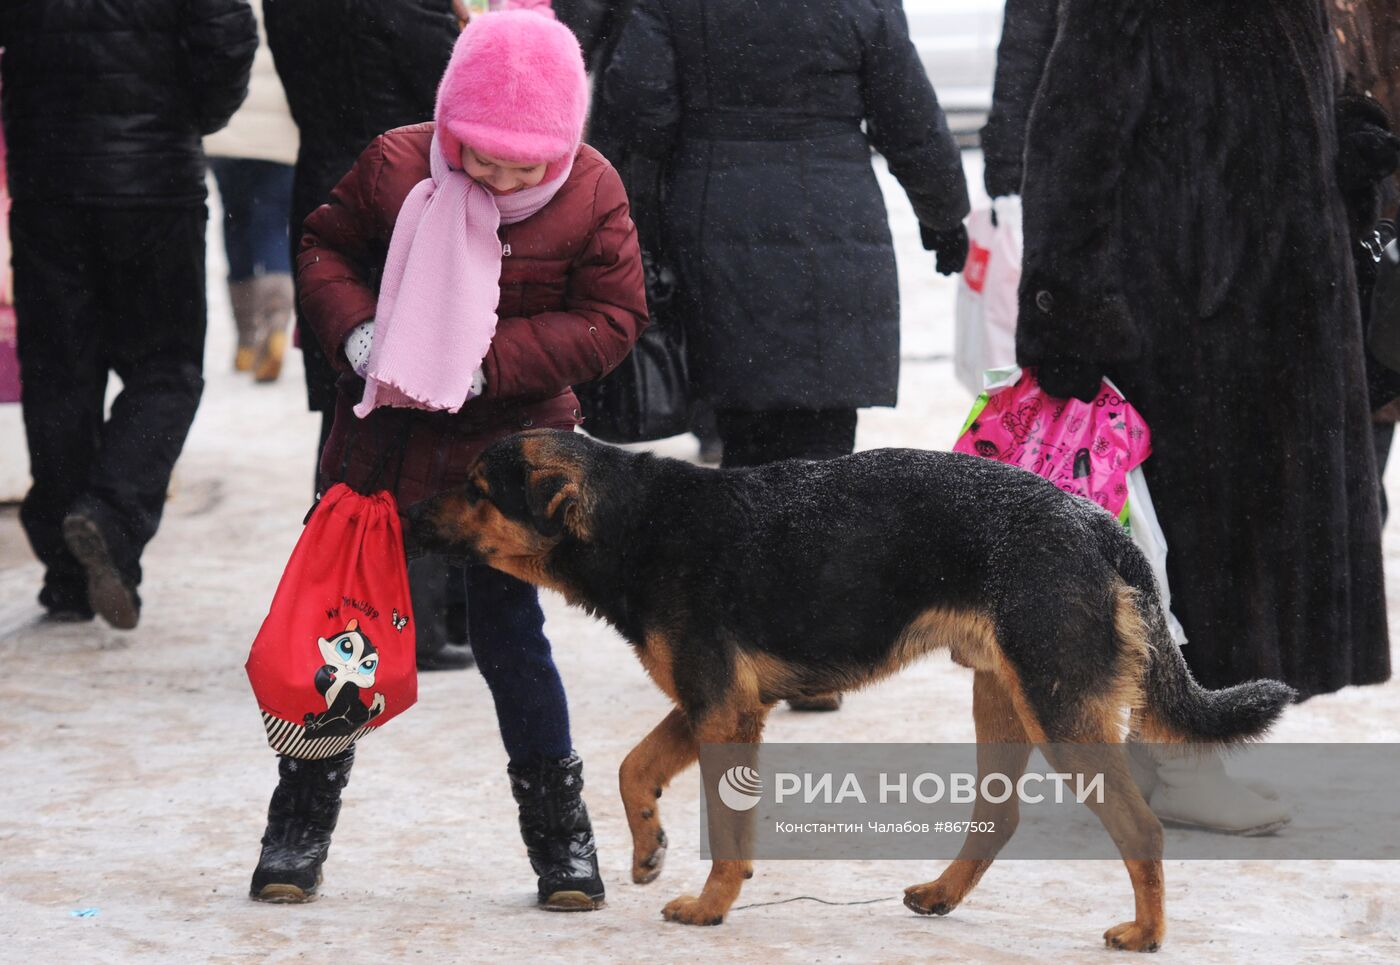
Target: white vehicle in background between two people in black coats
column 957, row 40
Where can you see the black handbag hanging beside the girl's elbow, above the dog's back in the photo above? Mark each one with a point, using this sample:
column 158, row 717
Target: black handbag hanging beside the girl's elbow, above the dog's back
column 647, row 397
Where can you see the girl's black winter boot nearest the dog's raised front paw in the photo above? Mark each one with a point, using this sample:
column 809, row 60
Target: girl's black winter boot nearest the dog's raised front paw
column 558, row 834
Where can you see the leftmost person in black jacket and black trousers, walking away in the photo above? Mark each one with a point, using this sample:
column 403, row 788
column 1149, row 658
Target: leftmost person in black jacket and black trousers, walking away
column 104, row 109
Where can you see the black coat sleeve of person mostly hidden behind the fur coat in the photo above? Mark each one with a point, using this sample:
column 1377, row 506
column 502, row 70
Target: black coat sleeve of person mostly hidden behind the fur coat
column 1028, row 30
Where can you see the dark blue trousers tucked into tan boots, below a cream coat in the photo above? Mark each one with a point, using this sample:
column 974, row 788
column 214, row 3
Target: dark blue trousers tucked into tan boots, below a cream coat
column 257, row 198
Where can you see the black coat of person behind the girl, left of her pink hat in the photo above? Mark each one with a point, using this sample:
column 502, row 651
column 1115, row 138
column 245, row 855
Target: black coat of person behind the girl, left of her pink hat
column 352, row 71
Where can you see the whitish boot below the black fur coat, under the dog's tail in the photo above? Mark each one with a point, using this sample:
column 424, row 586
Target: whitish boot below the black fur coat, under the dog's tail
column 1195, row 792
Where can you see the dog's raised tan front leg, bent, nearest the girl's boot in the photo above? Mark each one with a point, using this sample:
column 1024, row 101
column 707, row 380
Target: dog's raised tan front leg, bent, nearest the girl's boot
column 668, row 750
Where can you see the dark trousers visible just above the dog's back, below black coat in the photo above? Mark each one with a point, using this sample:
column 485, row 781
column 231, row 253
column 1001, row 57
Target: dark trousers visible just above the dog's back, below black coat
column 752, row 439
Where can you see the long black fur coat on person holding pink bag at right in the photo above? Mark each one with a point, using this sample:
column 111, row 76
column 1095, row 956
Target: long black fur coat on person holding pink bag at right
column 1186, row 236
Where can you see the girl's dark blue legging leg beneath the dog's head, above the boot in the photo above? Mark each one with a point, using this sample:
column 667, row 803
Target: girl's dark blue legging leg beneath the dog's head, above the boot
column 507, row 632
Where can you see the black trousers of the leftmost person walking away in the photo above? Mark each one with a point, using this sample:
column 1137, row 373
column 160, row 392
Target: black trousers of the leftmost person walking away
column 104, row 291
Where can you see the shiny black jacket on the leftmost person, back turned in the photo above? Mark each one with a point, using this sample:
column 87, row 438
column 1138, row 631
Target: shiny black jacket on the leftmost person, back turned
column 106, row 102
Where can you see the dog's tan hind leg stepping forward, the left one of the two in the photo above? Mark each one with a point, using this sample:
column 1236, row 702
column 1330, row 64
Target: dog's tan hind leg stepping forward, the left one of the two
column 1003, row 749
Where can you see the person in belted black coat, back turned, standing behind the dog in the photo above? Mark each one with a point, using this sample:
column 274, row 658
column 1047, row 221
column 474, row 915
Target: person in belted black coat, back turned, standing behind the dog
column 772, row 214
